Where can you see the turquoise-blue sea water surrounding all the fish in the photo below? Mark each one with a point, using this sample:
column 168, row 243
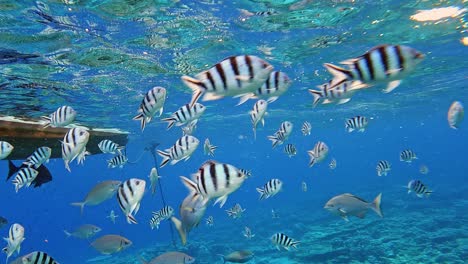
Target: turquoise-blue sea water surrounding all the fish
column 101, row 57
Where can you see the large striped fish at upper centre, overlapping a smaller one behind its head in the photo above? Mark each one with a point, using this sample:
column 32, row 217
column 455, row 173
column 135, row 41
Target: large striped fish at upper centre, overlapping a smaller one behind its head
column 233, row 76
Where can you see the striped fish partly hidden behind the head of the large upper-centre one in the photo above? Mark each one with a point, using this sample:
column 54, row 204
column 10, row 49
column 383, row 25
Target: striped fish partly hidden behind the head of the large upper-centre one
column 276, row 84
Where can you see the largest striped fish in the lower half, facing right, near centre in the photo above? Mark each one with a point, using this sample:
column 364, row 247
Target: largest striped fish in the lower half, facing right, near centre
column 215, row 180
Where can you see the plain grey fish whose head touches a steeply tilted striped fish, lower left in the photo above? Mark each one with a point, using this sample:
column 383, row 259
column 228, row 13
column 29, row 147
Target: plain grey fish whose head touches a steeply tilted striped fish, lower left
column 99, row 193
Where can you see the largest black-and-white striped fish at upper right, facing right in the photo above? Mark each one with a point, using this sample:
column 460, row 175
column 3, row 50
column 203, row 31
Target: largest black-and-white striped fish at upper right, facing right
column 384, row 63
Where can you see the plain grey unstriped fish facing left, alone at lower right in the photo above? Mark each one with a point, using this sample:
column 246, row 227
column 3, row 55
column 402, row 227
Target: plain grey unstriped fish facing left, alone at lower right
column 348, row 204
